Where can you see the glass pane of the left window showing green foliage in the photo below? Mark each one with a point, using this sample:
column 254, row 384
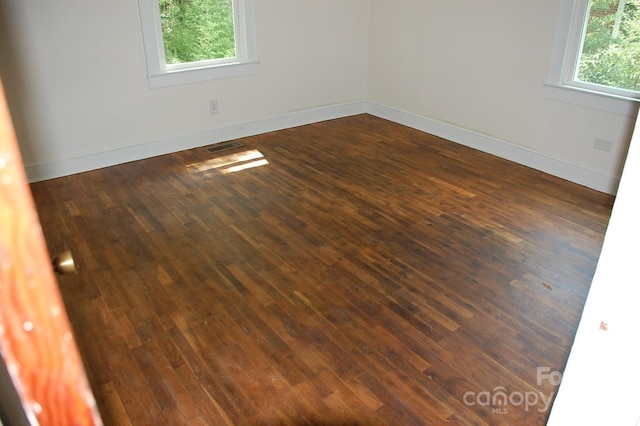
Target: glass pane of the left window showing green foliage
column 197, row 30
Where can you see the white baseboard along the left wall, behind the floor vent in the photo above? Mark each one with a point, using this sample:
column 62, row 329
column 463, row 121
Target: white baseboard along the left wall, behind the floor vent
column 125, row 154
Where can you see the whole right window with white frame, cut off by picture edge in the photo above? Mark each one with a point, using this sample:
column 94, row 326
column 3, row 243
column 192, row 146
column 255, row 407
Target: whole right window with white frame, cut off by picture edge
column 596, row 59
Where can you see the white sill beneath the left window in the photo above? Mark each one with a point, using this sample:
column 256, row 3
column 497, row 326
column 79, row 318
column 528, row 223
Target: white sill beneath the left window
column 196, row 75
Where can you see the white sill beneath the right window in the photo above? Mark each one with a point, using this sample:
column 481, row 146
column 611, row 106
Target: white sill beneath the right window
column 596, row 100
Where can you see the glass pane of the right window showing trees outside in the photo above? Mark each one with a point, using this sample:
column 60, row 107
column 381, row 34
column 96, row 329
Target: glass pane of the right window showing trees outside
column 611, row 49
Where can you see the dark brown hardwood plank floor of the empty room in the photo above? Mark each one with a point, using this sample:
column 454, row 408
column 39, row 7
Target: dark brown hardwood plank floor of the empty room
column 353, row 271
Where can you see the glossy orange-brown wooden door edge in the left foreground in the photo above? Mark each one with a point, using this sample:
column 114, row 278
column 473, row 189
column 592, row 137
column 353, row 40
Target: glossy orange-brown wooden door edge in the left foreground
column 45, row 372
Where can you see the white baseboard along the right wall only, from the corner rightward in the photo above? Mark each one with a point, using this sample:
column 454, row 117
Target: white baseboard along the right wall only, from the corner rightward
column 546, row 163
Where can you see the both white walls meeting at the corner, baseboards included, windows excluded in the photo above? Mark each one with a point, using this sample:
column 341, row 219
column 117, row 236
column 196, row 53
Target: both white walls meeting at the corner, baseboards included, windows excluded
column 466, row 70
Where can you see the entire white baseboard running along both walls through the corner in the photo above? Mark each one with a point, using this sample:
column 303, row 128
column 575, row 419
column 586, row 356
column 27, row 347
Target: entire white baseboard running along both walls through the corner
column 519, row 154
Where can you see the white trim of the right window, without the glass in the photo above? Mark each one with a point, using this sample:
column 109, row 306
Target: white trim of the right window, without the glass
column 560, row 85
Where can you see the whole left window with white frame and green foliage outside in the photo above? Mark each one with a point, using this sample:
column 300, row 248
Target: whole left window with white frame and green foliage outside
column 187, row 41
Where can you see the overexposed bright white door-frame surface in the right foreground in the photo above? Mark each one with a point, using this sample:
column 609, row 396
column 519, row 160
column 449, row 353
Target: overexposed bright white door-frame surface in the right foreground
column 600, row 383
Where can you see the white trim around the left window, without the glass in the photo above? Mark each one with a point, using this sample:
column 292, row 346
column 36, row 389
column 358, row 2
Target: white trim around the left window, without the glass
column 161, row 74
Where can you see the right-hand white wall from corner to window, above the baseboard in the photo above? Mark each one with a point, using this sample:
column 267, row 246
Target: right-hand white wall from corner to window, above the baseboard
column 480, row 66
